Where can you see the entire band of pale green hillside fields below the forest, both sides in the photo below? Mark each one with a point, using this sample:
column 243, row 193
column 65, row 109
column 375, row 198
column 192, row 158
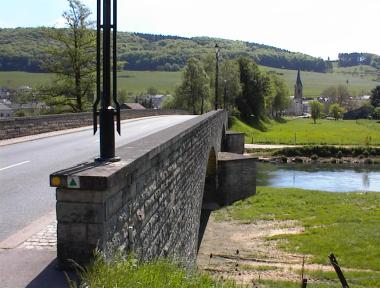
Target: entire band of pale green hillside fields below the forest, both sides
column 135, row 82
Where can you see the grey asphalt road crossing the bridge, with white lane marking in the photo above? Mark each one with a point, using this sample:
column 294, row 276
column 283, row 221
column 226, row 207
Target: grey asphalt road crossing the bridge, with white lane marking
column 25, row 194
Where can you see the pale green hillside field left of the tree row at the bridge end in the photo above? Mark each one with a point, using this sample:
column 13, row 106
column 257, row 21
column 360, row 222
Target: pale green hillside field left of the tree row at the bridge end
column 132, row 81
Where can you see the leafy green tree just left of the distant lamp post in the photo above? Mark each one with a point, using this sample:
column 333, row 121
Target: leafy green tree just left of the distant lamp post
column 193, row 94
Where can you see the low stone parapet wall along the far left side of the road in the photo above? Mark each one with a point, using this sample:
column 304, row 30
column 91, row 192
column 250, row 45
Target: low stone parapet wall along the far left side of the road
column 24, row 126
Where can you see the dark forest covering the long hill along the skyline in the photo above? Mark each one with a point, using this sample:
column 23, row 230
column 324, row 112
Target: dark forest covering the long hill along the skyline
column 21, row 49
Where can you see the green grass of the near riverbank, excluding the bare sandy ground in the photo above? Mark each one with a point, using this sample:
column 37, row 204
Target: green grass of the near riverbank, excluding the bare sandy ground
column 346, row 224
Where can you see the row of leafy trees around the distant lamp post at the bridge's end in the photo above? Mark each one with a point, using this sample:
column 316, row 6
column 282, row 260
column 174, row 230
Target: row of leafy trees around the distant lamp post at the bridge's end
column 242, row 86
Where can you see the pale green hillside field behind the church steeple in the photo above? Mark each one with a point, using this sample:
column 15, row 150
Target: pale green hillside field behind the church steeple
column 314, row 83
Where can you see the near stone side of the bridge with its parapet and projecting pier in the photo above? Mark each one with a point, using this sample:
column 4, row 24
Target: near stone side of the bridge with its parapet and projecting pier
column 151, row 202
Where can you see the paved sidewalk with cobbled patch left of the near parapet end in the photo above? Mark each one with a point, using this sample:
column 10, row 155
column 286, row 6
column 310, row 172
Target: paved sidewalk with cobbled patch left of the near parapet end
column 28, row 258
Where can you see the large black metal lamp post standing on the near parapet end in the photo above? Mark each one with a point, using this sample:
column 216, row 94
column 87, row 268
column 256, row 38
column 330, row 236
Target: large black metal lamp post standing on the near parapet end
column 104, row 87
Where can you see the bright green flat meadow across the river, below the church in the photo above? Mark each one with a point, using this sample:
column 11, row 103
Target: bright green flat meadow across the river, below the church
column 303, row 131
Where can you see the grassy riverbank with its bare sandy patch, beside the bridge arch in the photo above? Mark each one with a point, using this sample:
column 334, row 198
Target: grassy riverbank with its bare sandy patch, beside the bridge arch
column 296, row 223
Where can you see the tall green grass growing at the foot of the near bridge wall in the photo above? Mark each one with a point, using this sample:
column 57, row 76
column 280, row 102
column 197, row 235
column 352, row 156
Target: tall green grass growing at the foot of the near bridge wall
column 129, row 272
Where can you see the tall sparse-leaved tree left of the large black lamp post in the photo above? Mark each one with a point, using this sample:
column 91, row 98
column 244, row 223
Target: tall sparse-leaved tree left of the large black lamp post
column 72, row 58
